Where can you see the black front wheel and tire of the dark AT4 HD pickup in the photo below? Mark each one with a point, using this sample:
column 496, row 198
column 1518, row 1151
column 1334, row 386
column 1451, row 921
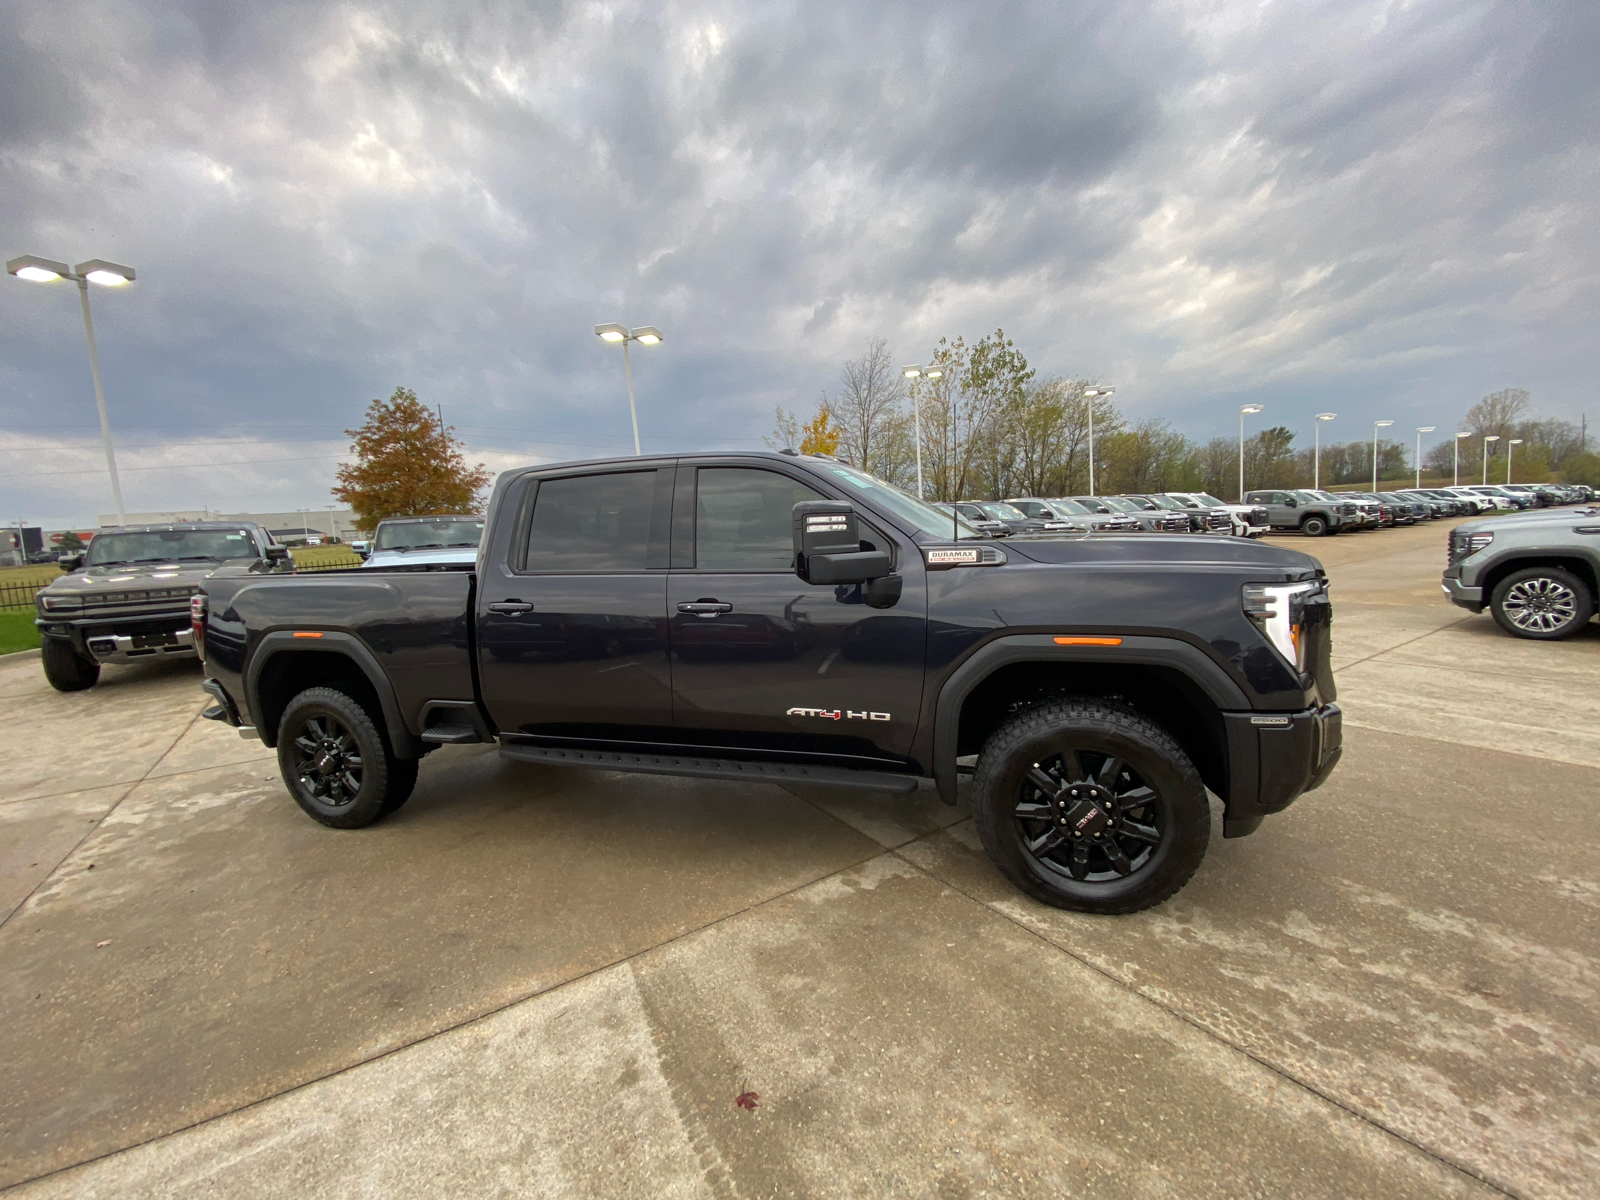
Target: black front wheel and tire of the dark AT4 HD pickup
column 1089, row 806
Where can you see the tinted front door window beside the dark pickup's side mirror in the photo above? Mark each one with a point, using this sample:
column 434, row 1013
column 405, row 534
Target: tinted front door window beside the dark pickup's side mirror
column 745, row 519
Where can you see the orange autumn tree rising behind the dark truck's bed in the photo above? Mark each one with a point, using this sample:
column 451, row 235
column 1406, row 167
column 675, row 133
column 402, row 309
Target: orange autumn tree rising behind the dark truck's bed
column 409, row 465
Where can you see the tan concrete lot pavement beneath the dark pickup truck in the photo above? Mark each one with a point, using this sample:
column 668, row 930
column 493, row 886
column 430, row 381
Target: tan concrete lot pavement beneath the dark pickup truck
column 561, row 983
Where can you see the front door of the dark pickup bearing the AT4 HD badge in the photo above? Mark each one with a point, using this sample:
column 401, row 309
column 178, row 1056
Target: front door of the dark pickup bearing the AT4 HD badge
column 766, row 660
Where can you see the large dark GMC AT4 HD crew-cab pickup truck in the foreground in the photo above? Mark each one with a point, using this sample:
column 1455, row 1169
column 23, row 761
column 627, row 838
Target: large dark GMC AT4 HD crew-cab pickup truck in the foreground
column 791, row 620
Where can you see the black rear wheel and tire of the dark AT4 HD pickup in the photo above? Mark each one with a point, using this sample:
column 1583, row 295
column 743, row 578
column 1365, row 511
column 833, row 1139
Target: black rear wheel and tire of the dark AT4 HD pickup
column 337, row 762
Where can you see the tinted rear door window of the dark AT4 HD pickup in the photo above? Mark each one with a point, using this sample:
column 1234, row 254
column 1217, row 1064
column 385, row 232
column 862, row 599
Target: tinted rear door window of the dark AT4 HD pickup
column 593, row 524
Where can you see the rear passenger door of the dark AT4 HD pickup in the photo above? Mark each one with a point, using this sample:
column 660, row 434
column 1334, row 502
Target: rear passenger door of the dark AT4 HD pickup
column 574, row 625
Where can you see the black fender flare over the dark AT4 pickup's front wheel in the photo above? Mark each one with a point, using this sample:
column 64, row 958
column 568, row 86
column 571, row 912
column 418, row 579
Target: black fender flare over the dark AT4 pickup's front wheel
column 1154, row 652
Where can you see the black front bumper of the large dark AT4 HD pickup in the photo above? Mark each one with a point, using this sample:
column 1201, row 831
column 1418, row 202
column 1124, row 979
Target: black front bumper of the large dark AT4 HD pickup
column 1276, row 758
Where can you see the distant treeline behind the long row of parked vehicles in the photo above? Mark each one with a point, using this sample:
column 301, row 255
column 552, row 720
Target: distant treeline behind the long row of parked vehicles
column 991, row 428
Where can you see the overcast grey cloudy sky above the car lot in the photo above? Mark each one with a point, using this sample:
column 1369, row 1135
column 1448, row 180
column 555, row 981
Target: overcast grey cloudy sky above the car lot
column 1385, row 210
